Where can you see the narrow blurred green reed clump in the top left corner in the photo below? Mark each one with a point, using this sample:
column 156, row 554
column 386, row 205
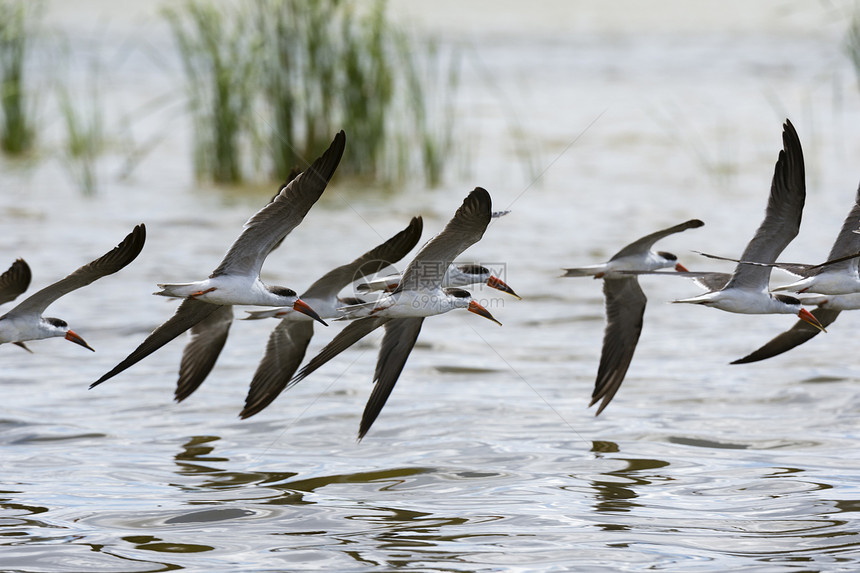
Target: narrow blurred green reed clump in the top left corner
column 18, row 19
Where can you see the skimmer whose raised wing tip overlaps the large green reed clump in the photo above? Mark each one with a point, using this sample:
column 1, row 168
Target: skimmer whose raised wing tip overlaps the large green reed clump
column 207, row 305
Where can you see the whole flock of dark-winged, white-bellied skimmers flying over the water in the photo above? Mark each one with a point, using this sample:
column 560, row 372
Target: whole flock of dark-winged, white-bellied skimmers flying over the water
column 432, row 284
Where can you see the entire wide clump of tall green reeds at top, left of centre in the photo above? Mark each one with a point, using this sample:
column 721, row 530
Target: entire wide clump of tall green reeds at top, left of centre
column 296, row 71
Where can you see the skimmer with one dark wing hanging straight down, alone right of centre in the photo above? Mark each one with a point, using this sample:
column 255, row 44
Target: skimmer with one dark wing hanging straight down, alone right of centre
column 625, row 305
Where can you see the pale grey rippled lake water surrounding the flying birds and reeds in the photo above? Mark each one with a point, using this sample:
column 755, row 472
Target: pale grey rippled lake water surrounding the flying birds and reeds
column 486, row 457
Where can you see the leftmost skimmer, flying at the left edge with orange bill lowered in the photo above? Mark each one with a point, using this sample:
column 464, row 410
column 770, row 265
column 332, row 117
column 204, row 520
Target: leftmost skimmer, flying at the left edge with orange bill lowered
column 25, row 321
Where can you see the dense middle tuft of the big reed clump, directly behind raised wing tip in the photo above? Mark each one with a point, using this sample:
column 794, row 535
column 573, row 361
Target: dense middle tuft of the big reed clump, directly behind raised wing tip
column 327, row 67
